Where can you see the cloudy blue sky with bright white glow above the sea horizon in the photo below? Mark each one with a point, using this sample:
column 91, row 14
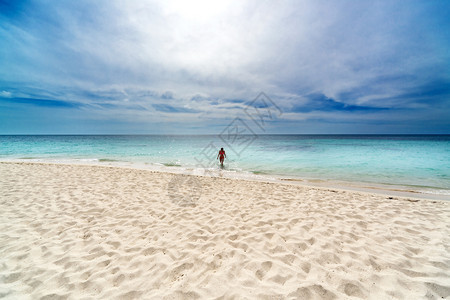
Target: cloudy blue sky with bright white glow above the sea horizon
column 195, row 67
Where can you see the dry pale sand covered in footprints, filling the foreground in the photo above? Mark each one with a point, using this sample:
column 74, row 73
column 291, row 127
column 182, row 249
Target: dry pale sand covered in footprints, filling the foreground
column 92, row 232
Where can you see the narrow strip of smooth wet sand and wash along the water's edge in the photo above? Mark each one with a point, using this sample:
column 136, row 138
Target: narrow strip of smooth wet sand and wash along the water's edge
column 368, row 187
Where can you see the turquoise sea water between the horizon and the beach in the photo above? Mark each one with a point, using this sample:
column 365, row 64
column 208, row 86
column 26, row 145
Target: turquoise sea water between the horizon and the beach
column 418, row 161
